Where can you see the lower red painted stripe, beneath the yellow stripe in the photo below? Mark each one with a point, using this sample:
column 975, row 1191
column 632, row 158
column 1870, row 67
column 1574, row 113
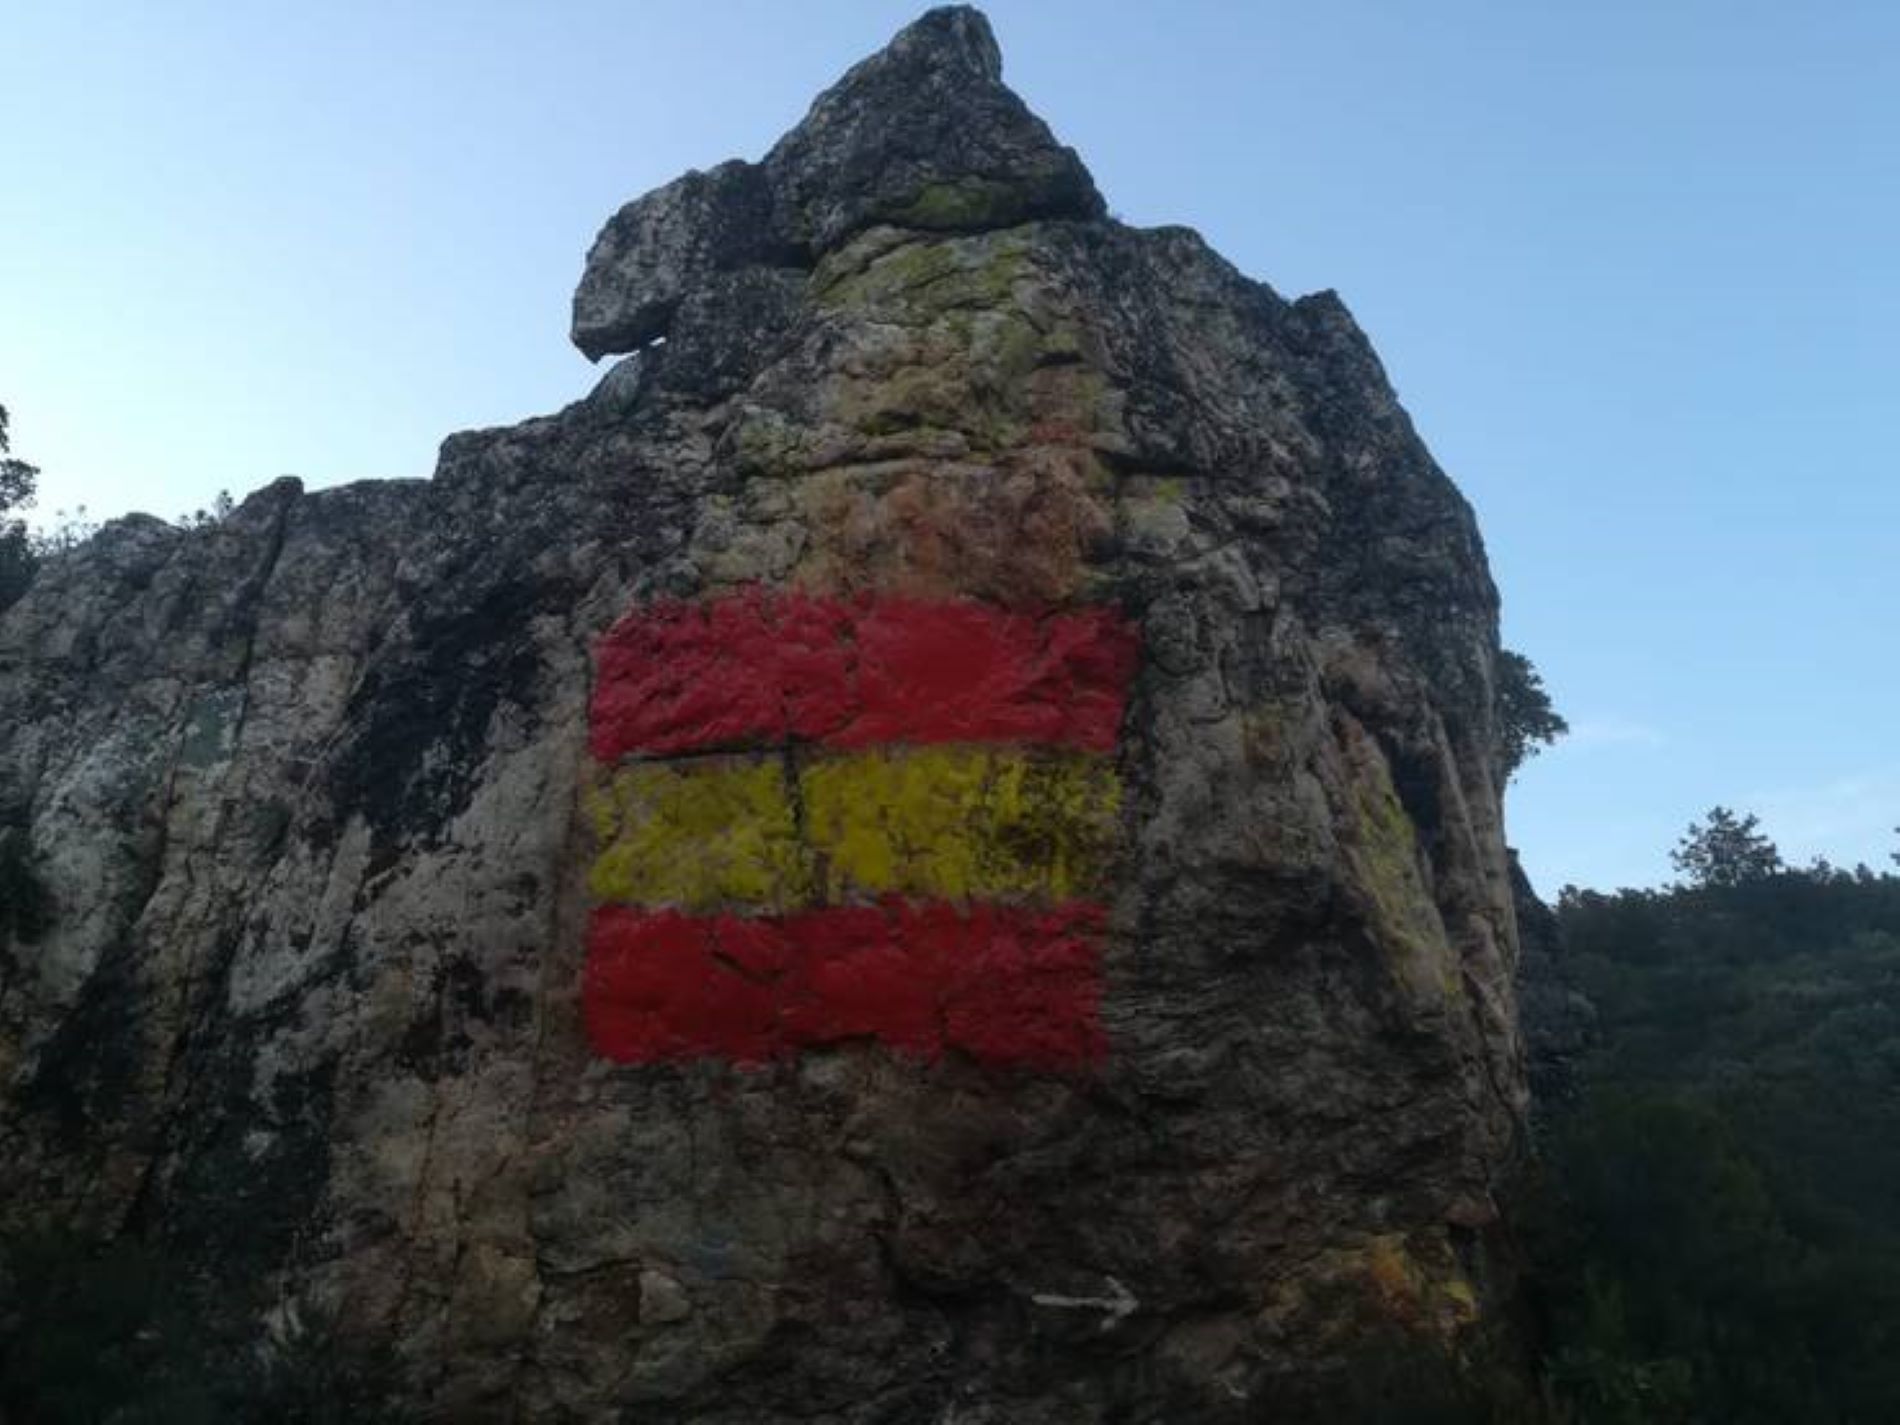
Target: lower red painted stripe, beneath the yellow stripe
column 1000, row 985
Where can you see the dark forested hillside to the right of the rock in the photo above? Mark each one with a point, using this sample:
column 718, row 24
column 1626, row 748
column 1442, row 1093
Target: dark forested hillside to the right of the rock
column 1719, row 1213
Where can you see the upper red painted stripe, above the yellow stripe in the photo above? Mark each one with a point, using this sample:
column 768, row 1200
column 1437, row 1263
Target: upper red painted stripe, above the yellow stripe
column 767, row 668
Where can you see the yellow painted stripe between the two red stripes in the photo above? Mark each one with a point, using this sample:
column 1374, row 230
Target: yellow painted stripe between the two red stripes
column 960, row 824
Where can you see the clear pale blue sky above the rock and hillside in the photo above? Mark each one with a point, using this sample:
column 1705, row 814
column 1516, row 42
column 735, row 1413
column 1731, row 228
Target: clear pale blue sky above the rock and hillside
column 1633, row 267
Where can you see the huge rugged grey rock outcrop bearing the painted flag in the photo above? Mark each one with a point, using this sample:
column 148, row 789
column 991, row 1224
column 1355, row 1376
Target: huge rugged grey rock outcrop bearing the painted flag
column 320, row 801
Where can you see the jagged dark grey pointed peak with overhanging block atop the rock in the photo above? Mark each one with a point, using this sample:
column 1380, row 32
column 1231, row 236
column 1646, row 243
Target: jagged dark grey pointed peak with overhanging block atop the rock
column 921, row 136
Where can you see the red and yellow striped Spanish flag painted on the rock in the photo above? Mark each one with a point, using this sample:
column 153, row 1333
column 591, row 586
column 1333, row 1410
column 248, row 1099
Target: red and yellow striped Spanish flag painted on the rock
column 827, row 820
